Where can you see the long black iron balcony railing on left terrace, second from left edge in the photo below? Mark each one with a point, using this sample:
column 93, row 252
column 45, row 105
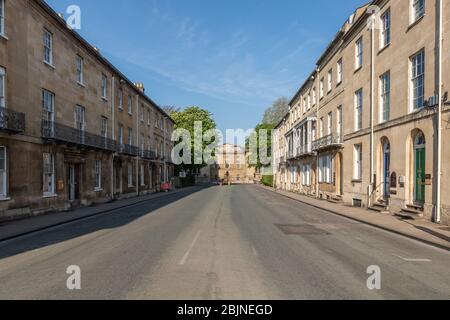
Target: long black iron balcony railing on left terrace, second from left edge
column 59, row 132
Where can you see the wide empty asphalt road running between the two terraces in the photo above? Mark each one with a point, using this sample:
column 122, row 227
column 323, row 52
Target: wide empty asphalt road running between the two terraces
column 239, row 242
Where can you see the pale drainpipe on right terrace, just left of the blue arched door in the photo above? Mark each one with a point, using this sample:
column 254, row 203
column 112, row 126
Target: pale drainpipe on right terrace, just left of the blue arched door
column 372, row 105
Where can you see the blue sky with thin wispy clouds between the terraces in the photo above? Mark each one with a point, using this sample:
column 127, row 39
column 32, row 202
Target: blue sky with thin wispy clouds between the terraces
column 232, row 57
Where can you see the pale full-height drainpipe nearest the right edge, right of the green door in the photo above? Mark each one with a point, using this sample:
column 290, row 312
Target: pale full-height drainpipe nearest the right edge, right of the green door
column 439, row 133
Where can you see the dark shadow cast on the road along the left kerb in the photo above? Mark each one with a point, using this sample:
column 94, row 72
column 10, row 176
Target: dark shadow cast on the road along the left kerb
column 110, row 220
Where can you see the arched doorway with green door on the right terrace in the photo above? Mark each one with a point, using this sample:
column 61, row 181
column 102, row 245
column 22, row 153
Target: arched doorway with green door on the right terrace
column 419, row 168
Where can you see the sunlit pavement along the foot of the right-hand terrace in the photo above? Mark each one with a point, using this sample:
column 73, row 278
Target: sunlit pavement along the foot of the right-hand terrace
column 427, row 232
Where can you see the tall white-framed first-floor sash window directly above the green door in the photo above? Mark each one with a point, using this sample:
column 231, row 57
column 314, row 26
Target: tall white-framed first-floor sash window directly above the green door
column 418, row 80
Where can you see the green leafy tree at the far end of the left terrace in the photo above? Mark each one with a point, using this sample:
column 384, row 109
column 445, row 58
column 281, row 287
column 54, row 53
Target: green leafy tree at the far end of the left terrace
column 185, row 119
